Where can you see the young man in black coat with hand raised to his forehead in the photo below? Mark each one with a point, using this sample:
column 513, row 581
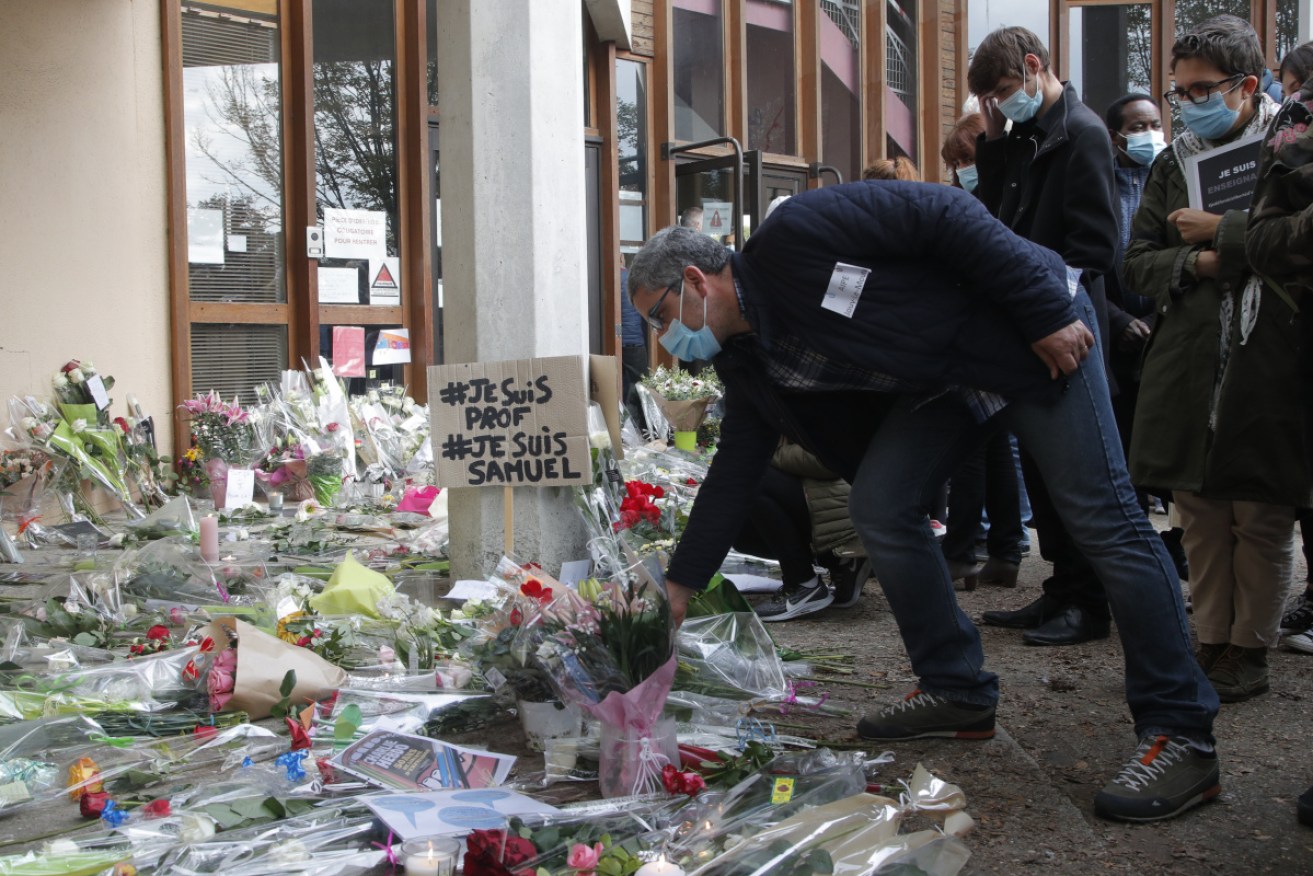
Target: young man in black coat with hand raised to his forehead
column 1050, row 179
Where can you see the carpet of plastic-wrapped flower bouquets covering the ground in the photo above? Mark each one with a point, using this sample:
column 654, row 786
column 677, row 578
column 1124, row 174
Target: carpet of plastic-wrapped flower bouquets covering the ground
column 132, row 669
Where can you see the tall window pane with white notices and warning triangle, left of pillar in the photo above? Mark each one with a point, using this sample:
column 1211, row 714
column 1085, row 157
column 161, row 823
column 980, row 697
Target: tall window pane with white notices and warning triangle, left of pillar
column 355, row 137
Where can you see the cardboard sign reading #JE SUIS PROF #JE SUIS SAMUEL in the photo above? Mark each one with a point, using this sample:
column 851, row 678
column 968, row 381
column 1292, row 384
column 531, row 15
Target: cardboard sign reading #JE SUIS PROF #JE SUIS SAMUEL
column 519, row 424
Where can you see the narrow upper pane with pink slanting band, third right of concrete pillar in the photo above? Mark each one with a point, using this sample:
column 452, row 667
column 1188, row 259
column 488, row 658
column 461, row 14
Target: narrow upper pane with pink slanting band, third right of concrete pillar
column 841, row 87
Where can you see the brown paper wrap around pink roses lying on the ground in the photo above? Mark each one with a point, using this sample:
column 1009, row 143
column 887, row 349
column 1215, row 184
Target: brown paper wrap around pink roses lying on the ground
column 263, row 661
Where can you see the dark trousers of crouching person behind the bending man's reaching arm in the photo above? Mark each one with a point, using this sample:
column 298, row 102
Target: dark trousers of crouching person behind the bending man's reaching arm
column 781, row 527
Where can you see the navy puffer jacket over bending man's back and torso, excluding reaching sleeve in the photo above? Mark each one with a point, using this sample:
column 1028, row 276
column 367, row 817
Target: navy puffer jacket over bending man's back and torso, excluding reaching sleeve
column 953, row 299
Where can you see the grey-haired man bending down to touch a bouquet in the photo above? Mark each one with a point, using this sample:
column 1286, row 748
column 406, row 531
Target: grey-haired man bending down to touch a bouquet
column 888, row 328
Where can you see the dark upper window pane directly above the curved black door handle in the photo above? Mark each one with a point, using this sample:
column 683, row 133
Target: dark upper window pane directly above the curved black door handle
column 698, row 44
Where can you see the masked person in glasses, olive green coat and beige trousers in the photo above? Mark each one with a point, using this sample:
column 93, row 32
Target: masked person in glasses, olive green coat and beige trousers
column 1218, row 421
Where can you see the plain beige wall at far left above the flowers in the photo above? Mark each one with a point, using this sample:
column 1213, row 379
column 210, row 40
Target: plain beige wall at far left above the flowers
column 83, row 263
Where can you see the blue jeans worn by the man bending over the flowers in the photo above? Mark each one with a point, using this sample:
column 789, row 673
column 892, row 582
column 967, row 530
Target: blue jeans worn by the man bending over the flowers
column 1076, row 446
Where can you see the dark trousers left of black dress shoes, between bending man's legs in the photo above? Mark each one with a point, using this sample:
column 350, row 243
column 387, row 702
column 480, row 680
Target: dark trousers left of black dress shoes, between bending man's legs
column 988, row 481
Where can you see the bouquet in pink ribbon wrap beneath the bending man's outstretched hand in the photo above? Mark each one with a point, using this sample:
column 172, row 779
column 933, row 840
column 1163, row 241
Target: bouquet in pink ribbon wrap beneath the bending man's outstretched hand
column 610, row 649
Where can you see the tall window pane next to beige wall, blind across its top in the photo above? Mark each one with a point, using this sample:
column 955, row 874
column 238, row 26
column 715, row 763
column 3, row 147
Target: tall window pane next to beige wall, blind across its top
column 233, row 154
